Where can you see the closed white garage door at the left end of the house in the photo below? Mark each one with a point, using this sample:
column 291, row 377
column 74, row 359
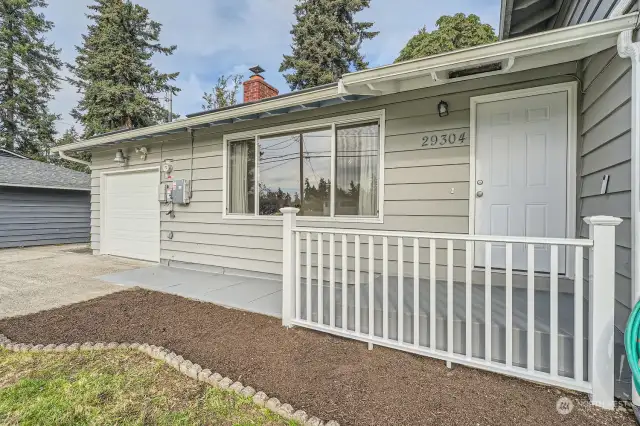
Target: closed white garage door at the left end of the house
column 131, row 215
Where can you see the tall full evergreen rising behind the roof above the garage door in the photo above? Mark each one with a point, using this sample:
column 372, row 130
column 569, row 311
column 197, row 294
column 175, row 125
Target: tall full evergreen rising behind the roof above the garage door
column 120, row 87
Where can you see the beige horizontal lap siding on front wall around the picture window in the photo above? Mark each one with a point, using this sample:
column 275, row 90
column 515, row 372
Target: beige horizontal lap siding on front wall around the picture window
column 425, row 190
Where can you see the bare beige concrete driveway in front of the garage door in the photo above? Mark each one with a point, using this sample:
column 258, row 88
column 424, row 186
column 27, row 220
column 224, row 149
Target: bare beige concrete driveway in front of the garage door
column 38, row 278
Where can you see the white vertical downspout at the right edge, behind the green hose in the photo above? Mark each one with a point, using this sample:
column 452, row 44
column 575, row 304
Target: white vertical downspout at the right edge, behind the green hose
column 627, row 48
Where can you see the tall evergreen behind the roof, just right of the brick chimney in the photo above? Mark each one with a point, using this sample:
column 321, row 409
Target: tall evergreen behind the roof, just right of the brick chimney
column 326, row 42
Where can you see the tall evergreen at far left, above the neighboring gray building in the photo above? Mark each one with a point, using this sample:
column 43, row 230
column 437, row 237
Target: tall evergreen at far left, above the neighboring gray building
column 29, row 68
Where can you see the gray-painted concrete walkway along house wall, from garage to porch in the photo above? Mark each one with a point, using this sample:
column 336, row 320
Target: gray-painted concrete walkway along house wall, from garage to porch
column 250, row 294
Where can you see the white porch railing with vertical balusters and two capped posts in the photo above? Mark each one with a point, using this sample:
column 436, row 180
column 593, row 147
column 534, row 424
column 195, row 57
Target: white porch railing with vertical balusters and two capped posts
column 465, row 312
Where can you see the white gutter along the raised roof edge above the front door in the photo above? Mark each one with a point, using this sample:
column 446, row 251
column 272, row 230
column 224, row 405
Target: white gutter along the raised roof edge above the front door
column 526, row 45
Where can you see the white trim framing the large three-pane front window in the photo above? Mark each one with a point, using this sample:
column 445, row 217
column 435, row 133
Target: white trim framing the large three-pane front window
column 378, row 115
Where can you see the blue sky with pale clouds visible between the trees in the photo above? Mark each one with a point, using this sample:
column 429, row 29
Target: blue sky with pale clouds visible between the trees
column 217, row 37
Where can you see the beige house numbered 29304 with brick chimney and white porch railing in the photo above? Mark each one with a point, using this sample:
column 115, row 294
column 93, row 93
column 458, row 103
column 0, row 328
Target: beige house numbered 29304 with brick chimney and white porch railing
column 472, row 170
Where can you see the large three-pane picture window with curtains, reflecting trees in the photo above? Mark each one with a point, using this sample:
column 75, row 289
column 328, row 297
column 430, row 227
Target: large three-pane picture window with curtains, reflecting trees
column 331, row 170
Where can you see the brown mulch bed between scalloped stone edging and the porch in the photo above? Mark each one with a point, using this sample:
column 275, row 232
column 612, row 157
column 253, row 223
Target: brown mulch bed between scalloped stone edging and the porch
column 329, row 377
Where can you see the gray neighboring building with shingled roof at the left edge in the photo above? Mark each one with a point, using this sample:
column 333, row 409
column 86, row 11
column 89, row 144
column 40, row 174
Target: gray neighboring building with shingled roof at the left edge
column 42, row 204
